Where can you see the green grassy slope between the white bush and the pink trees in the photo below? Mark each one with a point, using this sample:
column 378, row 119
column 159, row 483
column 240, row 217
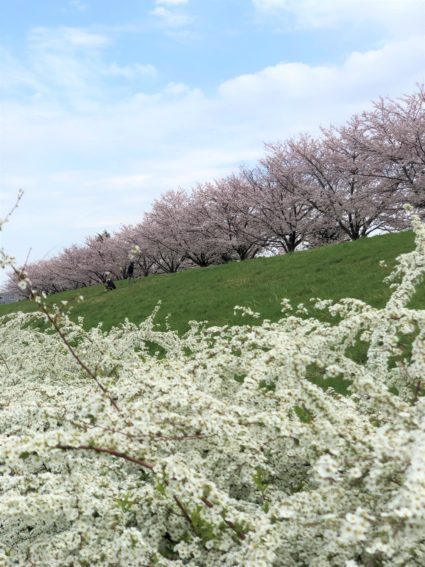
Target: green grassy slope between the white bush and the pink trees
column 344, row 270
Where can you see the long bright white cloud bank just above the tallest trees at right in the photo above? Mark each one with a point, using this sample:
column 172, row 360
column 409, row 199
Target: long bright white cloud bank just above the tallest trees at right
column 366, row 73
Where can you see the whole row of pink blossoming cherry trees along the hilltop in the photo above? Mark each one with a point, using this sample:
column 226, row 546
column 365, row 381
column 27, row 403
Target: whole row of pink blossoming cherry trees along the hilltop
column 346, row 184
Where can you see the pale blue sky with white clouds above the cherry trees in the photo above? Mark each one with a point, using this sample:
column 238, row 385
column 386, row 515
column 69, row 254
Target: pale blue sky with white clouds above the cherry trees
column 105, row 104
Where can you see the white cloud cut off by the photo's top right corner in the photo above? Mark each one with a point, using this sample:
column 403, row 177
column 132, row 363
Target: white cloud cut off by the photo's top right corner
column 400, row 16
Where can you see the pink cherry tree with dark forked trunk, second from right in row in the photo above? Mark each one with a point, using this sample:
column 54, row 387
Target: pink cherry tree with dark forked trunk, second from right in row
column 339, row 183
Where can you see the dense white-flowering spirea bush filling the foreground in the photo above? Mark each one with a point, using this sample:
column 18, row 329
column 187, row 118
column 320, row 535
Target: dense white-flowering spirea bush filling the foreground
column 218, row 449
